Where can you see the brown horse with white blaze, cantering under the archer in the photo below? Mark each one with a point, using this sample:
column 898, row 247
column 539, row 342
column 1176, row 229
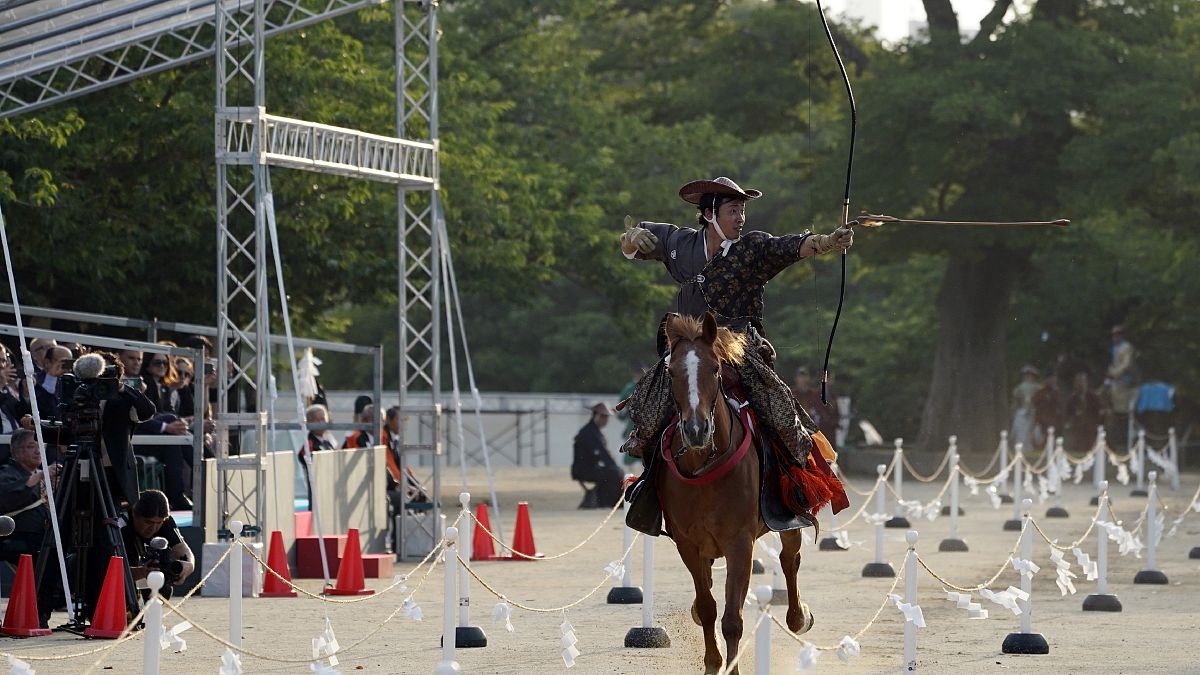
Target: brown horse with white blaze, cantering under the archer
column 711, row 494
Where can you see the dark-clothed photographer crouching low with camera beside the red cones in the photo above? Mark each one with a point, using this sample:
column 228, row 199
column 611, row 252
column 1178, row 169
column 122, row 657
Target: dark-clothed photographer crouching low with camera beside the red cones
column 151, row 521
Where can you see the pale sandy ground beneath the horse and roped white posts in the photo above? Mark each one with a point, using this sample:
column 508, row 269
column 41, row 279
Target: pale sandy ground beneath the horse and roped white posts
column 1156, row 634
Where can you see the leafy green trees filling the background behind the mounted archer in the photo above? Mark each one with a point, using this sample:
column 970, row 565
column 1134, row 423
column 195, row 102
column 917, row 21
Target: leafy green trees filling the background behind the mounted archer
column 559, row 117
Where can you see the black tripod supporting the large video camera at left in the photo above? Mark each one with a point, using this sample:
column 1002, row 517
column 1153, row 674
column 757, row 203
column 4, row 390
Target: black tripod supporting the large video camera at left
column 87, row 522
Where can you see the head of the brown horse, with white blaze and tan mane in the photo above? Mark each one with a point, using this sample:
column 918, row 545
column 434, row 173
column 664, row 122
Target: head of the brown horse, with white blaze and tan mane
column 698, row 349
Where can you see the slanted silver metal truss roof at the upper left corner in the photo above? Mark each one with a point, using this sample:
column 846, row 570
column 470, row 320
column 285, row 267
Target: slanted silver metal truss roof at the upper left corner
column 58, row 50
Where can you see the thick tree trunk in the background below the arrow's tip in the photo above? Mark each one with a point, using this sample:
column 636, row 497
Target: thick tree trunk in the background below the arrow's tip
column 969, row 392
